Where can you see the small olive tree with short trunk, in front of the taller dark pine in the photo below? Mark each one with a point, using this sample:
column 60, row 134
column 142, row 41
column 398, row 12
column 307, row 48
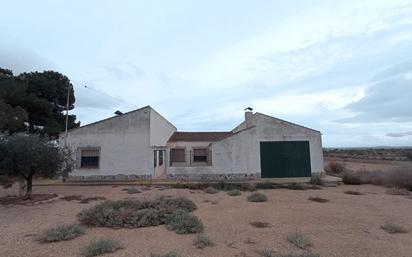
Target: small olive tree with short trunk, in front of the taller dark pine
column 22, row 157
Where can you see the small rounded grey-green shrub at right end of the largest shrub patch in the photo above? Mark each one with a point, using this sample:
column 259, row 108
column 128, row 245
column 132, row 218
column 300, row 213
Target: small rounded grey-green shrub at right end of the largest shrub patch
column 182, row 222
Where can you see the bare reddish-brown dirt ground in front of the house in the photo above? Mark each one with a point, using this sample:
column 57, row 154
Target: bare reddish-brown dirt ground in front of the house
column 348, row 225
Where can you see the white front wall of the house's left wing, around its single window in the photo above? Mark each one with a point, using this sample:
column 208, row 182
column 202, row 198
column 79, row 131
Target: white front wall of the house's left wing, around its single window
column 123, row 142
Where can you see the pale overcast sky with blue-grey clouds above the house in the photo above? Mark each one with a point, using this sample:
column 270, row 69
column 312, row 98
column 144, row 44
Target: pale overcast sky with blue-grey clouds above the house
column 341, row 67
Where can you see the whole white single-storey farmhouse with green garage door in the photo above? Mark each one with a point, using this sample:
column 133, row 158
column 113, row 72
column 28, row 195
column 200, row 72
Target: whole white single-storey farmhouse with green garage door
column 143, row 144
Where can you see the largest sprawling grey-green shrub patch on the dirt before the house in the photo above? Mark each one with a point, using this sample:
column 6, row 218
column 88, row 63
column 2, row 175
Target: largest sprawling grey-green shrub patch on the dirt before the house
column 135, row 213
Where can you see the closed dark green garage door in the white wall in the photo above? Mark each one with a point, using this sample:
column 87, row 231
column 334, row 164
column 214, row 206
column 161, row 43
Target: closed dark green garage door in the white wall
column 280, row 159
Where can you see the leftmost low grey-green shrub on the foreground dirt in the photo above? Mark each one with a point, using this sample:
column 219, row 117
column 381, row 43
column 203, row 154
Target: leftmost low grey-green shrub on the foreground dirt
column 60, row 233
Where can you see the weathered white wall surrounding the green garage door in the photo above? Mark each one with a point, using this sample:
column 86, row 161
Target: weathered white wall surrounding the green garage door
column 238, row 156
